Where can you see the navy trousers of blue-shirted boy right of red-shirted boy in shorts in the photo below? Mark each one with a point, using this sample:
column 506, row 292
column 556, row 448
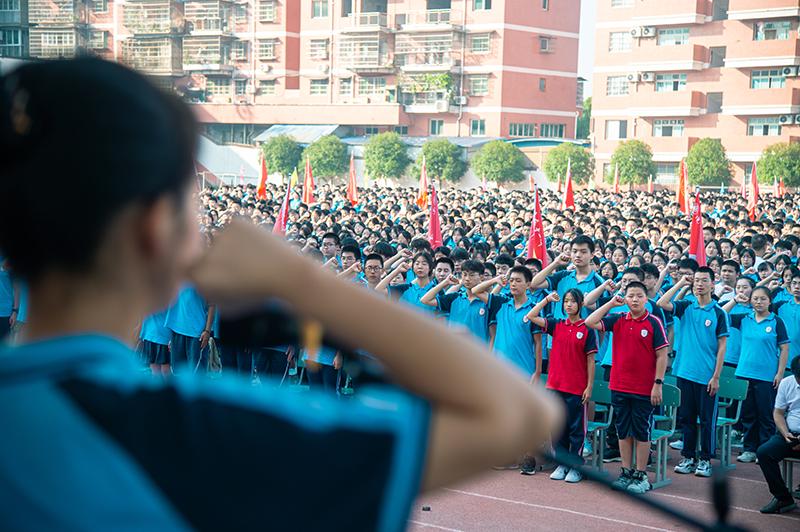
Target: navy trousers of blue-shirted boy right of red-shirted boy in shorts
column 696, row 404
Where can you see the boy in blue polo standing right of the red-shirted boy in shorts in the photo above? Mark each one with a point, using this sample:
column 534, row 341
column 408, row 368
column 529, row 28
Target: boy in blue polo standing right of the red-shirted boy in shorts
column 704, row 332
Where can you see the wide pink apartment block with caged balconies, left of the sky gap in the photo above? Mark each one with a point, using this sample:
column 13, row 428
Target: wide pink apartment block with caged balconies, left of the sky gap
column 420, row 67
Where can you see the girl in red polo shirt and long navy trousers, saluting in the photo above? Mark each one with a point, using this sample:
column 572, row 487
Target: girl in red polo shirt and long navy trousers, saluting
column 571, row 371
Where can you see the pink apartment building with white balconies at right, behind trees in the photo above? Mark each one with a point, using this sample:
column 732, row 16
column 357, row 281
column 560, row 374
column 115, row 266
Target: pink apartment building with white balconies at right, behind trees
column 670, row 73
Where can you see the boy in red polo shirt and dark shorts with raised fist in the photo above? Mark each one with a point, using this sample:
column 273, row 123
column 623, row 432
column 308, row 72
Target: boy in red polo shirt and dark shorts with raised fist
column 640, row 344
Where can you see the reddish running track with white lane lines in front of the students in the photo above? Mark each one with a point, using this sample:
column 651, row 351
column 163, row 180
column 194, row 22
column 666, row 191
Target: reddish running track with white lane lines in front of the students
column 506, row 500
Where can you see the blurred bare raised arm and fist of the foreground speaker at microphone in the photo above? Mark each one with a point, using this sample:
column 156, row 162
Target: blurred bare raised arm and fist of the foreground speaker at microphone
column 484, row 413
